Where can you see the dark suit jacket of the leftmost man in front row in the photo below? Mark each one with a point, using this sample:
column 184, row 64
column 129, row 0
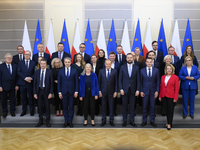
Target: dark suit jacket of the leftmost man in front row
column 48, row 82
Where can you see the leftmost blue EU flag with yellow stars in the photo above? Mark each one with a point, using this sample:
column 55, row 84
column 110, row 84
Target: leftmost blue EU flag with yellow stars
column 38, row 38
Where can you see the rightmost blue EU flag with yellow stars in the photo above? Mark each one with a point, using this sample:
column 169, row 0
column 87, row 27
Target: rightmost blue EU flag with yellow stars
column 188, row 38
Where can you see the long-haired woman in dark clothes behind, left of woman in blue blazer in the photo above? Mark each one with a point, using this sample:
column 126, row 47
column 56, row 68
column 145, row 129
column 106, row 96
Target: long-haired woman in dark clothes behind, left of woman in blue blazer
column 79, row 65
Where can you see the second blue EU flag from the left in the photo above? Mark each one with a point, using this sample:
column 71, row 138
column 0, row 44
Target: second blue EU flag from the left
column 64, row 39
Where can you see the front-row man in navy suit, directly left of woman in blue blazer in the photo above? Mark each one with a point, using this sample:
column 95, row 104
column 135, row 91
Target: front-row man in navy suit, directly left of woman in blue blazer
column 67, row 90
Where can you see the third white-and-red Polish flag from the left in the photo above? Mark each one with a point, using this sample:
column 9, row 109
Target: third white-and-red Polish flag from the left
column 76, row 43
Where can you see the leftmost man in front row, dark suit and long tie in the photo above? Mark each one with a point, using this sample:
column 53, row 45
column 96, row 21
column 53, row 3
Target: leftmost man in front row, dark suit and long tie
column 43, row 89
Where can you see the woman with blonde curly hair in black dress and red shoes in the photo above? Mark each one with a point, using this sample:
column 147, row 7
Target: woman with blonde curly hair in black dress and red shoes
column 56, row 65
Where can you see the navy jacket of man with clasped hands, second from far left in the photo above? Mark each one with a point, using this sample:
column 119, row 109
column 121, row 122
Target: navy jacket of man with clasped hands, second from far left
column 23, row 72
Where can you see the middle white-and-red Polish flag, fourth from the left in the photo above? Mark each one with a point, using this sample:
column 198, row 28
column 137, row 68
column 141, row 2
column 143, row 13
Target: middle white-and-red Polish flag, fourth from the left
column 101, row 42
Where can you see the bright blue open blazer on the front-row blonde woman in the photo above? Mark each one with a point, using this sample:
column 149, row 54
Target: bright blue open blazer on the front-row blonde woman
column 94, row 85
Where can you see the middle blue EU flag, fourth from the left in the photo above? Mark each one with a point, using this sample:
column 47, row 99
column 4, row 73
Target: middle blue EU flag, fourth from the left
column 112, row 43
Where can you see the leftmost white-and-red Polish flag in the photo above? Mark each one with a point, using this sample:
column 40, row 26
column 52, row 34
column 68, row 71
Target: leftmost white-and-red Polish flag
column 26, row 40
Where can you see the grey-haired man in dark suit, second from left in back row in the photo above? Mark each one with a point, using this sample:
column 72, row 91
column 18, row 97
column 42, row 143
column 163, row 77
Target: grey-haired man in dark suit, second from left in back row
column 41, row 53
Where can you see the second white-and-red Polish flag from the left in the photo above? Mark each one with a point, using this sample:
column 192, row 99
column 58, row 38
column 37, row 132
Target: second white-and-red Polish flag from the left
column 50, row 48
